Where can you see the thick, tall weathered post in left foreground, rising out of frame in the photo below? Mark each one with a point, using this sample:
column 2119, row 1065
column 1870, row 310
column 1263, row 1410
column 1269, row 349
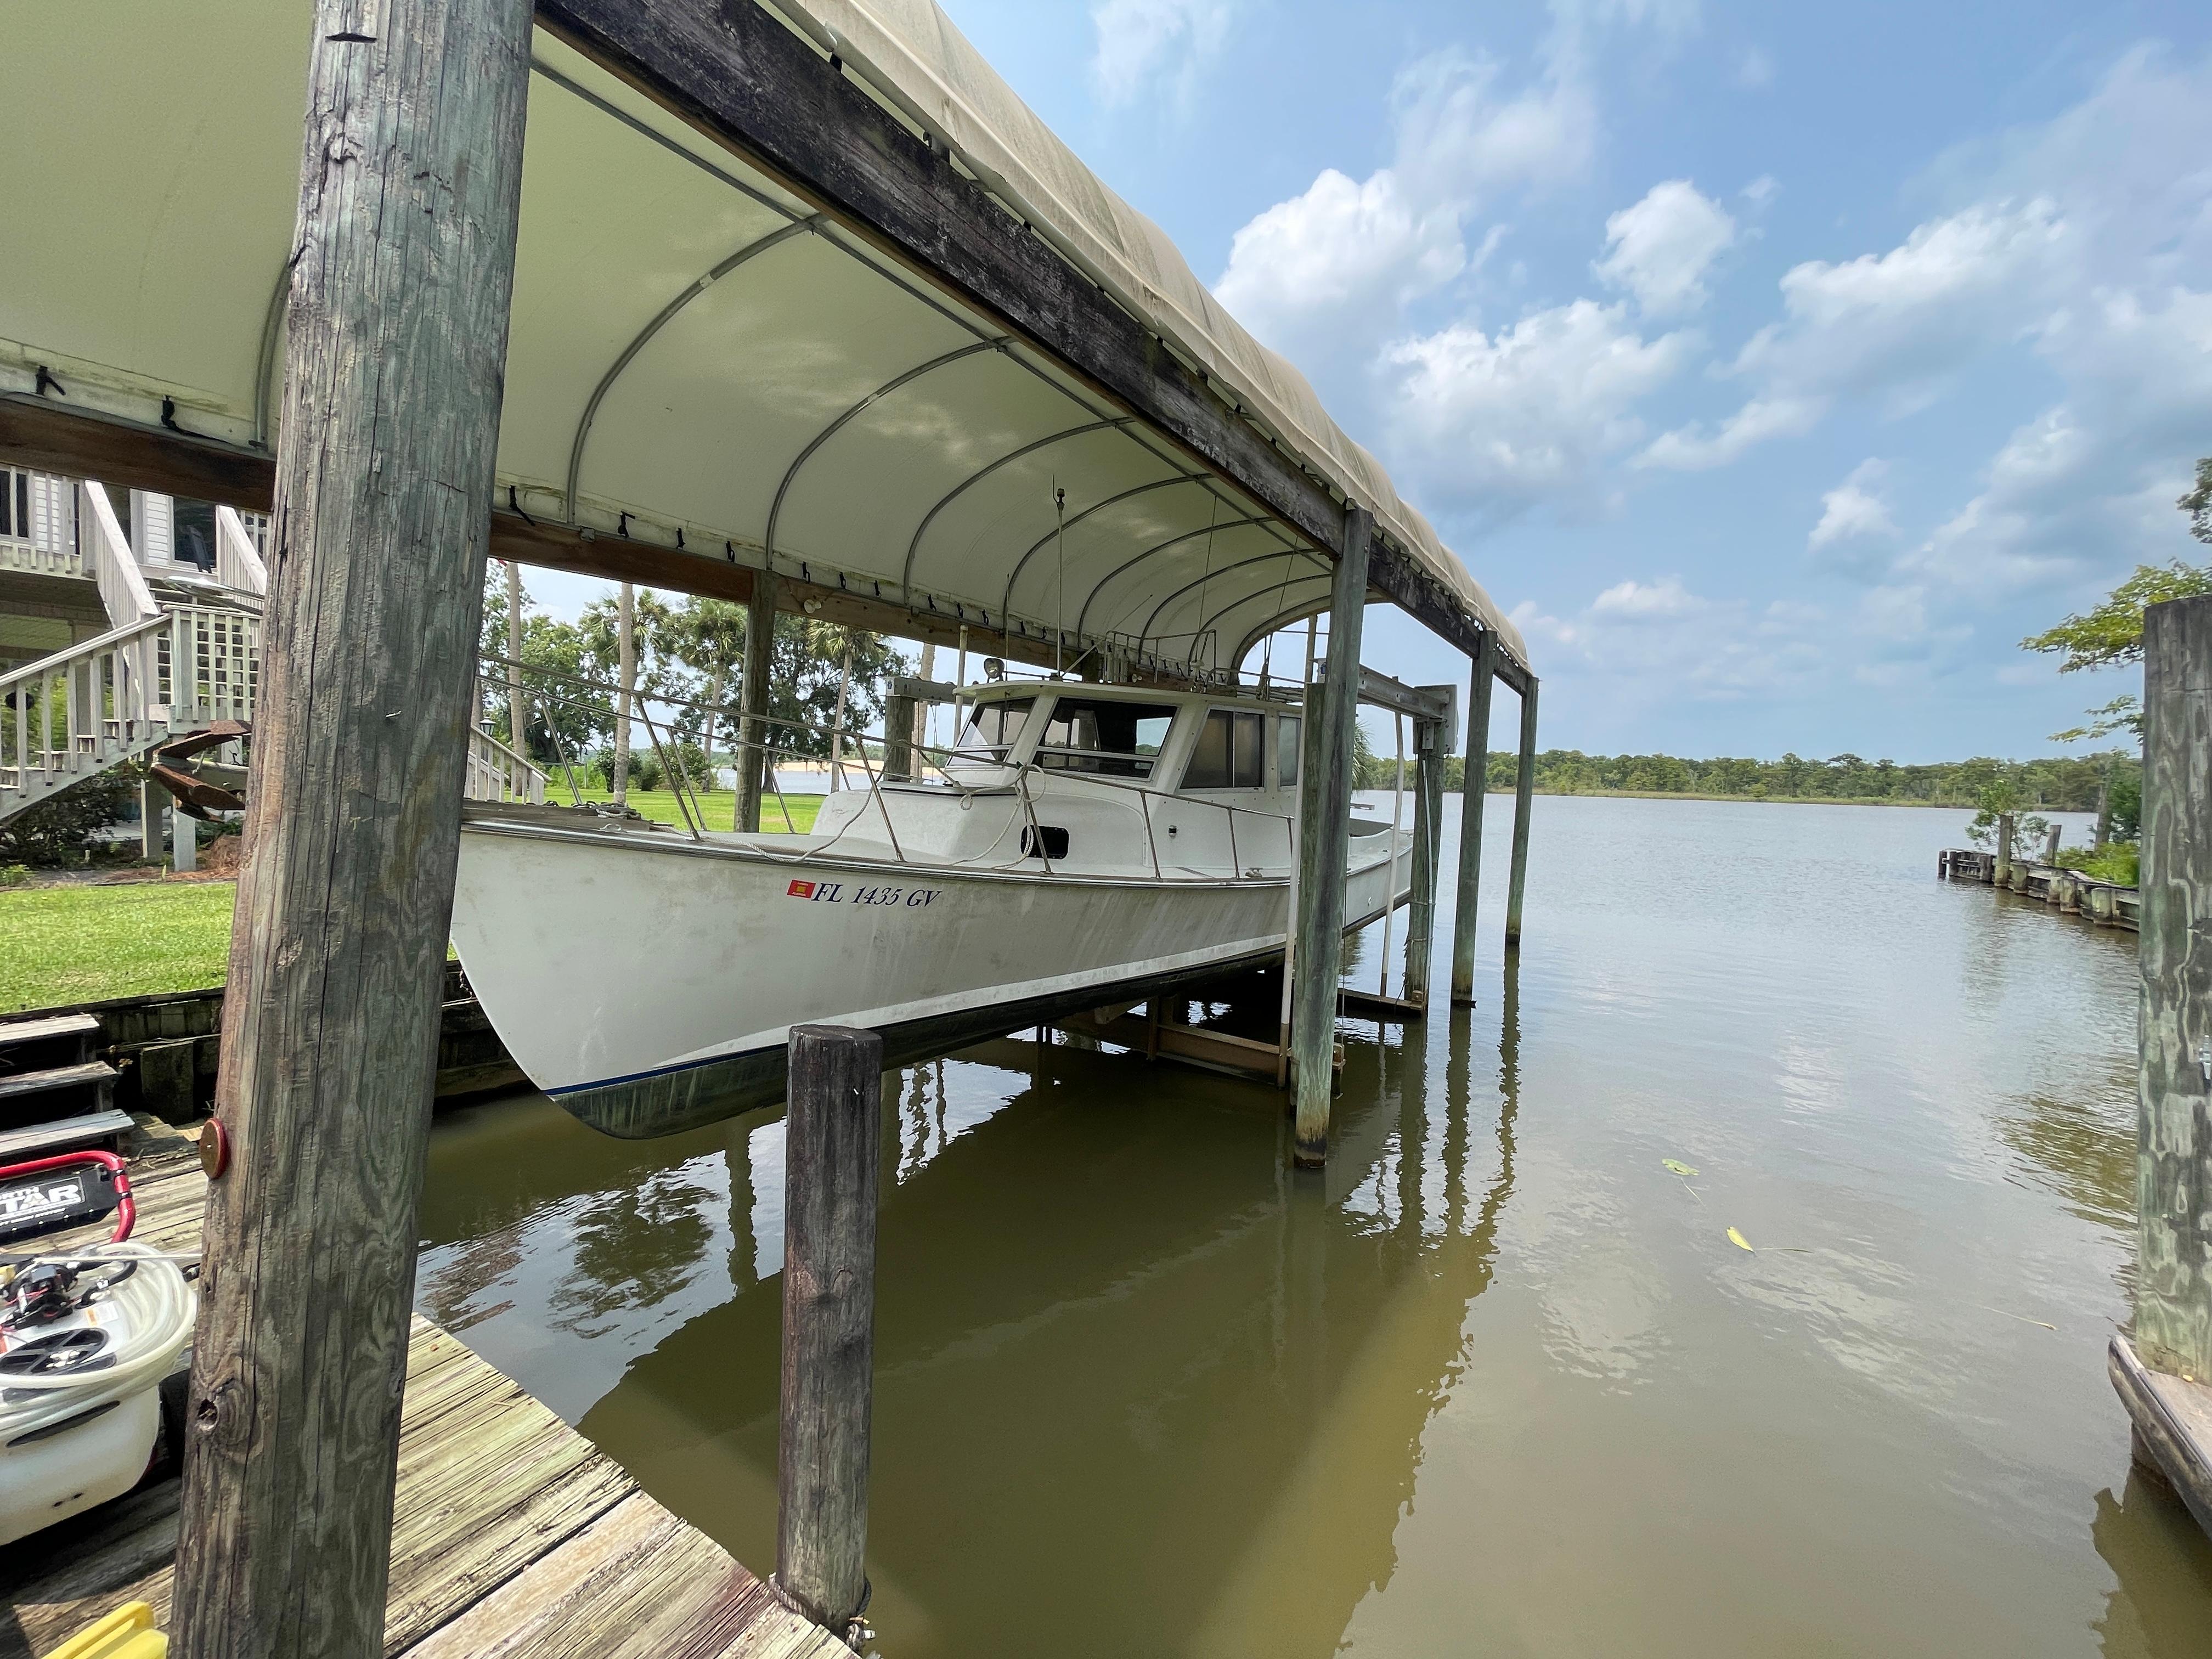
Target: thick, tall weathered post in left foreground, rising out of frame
column 397, row 348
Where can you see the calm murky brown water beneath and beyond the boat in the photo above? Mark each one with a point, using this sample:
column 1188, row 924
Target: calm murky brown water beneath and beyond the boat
column 1499, row 1384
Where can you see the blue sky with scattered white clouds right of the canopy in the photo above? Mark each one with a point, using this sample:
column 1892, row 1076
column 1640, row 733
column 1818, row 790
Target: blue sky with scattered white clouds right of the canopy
column 1775, row 368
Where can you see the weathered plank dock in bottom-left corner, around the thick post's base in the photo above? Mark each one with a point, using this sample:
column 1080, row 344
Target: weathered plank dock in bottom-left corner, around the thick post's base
column 512, row 1534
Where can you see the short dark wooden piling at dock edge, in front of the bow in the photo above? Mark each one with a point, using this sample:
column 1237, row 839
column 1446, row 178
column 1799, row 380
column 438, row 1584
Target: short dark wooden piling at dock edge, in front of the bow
column 831, row 1162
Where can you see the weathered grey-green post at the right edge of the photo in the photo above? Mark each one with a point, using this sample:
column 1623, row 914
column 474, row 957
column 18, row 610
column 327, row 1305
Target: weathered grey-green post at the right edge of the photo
column 2164, row 1373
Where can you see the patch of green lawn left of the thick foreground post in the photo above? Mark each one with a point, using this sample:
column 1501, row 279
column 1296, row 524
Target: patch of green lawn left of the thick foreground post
column 94, row 943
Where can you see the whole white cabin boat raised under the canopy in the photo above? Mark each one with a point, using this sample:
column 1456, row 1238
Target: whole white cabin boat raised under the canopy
column 1078, row 846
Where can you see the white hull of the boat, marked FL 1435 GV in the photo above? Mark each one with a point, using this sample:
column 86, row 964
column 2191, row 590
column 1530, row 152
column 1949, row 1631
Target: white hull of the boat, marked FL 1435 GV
column 649, row 983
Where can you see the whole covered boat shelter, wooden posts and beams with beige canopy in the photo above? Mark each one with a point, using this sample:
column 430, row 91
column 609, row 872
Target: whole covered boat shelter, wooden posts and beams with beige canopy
column 793, row 306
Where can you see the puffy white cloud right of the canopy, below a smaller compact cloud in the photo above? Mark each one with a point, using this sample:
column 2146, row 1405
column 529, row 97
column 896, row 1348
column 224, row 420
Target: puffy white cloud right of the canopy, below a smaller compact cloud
column 1494, row 421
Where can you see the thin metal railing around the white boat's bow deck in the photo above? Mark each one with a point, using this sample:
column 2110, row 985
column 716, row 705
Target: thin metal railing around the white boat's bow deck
column 550, row 693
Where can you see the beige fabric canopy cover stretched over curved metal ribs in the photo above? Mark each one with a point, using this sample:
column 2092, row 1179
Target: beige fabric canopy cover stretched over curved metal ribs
column 698, row 357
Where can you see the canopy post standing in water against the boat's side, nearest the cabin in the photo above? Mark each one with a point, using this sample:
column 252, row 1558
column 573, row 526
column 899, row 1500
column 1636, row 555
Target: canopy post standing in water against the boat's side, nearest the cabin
column 1324, row 844
